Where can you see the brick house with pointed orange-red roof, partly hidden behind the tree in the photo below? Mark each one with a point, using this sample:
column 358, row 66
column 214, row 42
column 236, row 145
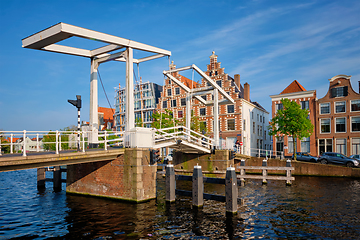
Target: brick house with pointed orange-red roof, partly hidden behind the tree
column 307, row 100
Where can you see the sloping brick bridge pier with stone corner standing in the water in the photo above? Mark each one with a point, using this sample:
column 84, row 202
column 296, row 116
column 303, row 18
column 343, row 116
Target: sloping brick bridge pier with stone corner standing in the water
column 128, row 177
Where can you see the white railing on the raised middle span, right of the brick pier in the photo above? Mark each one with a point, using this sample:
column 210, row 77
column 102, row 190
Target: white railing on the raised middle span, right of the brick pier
column 183, row 133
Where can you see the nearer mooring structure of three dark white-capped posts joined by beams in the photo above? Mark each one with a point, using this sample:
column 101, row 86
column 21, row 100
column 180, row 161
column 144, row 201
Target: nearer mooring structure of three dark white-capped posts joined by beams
column 197, row 193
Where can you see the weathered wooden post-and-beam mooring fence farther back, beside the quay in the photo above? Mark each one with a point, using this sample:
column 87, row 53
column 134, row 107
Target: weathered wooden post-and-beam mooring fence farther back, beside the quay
column 264, row 177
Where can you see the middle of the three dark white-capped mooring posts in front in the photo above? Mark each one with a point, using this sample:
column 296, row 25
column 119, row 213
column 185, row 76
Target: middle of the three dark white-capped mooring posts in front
column 197, row 187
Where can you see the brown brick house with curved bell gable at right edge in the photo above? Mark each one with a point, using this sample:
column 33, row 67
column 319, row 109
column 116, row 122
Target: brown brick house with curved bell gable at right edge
column 338, row 118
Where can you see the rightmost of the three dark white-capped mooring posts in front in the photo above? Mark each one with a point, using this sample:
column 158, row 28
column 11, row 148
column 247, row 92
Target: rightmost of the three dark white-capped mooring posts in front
column 231, row 191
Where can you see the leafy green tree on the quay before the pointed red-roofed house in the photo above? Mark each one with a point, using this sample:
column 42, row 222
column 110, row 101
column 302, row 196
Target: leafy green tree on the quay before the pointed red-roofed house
column 292, row 121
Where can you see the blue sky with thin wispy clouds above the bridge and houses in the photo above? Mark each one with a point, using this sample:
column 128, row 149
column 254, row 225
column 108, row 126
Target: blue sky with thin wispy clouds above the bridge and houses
column 269, row 43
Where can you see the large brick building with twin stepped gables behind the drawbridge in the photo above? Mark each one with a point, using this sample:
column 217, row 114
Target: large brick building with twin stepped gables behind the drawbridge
column 230, row 115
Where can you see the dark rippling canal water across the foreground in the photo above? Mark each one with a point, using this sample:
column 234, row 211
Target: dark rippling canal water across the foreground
column 312, row 208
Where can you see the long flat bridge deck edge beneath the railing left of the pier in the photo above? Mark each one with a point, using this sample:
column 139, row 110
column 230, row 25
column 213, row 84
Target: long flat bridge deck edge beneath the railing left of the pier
column 11, row 163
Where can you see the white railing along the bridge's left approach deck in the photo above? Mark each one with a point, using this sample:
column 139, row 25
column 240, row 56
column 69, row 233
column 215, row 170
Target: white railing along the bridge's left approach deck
column 34, row 141
